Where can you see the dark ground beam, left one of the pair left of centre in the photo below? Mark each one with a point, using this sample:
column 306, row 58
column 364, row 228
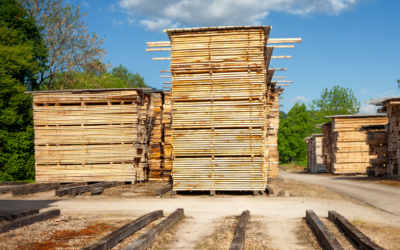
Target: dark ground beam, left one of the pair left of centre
column 123, row 232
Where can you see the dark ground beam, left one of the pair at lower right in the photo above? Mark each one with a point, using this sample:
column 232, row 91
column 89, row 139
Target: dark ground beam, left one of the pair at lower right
column 325, row 236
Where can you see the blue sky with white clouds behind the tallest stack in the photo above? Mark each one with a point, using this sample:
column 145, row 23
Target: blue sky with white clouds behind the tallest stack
column 350, row 43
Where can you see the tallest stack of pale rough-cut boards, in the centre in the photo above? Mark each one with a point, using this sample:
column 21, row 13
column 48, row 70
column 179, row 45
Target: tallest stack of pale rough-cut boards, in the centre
column 219, row 109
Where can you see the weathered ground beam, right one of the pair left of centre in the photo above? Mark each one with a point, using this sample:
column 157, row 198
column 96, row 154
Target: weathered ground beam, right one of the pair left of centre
column 146, row 240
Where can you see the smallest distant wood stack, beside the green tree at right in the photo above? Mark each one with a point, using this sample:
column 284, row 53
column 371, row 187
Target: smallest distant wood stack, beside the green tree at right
column 314, row 153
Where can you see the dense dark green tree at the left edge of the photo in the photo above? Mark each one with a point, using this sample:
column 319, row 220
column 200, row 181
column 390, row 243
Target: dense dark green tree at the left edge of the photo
column 20, row 61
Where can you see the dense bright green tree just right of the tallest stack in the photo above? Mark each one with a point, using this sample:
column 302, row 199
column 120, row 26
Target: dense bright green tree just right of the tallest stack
column 291, row 133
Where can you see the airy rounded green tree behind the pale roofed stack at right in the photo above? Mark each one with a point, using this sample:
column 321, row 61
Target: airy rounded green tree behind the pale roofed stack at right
column 336, row 101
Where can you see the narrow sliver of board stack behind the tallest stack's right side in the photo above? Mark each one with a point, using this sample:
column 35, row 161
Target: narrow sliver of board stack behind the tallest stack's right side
column 273, row 137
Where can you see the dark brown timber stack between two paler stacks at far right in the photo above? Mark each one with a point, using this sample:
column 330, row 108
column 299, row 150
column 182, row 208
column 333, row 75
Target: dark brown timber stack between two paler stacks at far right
column 377, row 139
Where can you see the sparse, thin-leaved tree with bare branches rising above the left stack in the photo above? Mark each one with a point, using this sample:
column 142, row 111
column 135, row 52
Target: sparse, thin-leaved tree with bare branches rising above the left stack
column 71, row 48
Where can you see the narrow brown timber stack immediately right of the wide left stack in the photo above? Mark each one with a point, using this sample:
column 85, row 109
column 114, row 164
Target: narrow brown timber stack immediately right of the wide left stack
column 155, row 140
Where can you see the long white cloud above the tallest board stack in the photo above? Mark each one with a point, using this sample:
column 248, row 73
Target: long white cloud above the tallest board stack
column 158, row 13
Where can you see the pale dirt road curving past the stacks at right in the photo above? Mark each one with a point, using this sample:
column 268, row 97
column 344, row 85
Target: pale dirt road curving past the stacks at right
column 381, row 196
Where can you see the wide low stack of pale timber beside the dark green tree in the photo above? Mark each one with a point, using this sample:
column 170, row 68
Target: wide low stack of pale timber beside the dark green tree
column 90, row 135
